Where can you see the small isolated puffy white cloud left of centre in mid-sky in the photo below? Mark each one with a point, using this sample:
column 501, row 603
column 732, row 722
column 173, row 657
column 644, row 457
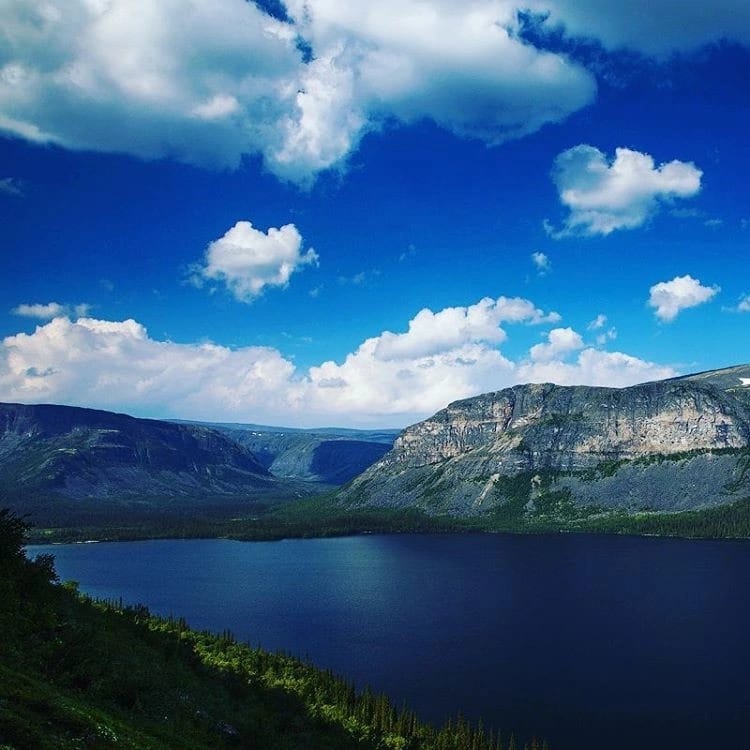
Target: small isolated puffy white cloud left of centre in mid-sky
column 247, row 260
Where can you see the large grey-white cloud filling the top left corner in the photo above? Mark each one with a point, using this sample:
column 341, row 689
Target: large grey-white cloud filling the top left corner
column 200, row 81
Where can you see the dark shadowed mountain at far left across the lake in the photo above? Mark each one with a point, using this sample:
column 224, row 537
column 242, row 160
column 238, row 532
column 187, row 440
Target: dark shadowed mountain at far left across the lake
column 68, row 461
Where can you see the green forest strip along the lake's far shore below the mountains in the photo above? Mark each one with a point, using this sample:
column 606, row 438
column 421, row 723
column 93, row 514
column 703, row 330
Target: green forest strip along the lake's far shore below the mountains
column 528, row 502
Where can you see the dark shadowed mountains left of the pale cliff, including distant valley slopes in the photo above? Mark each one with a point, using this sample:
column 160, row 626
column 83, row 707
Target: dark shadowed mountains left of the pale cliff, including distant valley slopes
column 66, row 464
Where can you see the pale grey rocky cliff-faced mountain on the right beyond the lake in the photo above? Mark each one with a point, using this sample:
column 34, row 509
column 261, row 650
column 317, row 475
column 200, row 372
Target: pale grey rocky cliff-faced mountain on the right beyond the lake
column 543, row 450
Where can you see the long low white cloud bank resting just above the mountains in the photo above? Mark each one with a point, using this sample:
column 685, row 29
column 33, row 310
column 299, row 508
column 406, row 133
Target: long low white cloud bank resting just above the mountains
column 390, row 379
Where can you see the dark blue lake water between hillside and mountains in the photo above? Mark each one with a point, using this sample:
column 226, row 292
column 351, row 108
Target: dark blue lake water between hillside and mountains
column 597, row 643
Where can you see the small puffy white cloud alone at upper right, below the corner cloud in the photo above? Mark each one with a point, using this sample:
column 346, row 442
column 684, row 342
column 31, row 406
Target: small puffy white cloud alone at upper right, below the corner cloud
column 603, row 197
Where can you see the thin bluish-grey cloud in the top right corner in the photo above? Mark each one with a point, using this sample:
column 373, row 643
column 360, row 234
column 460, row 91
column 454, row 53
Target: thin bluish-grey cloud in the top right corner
column 653, row 27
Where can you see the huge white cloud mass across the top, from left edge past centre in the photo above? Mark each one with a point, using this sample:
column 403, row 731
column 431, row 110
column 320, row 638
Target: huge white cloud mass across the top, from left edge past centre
column 211, row 81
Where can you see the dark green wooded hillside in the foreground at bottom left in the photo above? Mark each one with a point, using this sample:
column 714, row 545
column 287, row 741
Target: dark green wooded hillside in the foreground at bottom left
column 76, row 673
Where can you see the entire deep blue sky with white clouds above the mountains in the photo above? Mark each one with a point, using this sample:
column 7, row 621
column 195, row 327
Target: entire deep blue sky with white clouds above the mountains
column 324, row 213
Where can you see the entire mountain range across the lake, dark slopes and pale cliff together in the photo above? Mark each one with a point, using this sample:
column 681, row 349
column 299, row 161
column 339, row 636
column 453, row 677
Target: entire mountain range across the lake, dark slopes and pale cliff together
column 530, row 456
